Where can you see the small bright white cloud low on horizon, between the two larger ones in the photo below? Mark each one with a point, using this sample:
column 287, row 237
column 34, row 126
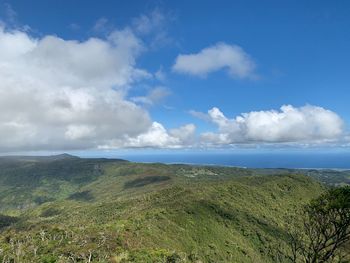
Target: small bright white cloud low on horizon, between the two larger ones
column 157, row 137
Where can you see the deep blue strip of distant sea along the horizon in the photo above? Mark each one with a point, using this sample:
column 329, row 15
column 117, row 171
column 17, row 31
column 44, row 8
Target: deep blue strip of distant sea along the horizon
column 251, row 160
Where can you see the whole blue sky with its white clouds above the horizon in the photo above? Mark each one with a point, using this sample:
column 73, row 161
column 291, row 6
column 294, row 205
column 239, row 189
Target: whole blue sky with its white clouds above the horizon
column 181, row 75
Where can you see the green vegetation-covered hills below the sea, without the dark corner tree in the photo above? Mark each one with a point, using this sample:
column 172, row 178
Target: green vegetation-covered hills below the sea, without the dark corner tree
column 67, row 209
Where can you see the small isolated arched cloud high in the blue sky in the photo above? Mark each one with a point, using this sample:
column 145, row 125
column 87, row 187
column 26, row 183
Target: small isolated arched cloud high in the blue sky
column 220, row 56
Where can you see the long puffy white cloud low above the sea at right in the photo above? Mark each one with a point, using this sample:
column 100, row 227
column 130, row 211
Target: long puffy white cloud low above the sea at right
column 288, row 125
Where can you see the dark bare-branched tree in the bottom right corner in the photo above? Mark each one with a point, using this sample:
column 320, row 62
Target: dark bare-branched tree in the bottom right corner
column 322, row 231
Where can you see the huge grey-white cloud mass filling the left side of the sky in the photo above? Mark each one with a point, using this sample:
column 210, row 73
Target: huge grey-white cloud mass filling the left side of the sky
column 59, row 94
